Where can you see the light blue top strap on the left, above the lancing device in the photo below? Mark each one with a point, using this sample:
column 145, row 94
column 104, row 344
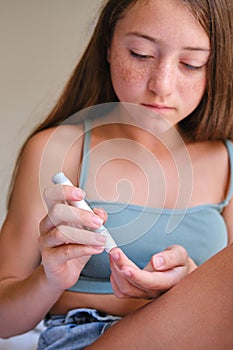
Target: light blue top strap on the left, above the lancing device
column 85, row 156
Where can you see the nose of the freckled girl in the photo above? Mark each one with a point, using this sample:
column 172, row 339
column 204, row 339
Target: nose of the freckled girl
column 162, row 80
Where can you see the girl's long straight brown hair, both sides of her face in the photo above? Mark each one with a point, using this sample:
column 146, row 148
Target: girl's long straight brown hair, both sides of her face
column 90, row 83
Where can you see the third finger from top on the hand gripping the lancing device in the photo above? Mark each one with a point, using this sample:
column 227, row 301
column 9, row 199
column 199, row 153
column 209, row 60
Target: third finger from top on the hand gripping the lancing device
column 66, row 234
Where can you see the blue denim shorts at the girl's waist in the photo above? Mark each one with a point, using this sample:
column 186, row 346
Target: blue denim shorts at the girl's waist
column 75, row 330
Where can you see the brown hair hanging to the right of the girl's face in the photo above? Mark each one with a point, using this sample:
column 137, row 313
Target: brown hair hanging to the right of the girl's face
column 213, row 118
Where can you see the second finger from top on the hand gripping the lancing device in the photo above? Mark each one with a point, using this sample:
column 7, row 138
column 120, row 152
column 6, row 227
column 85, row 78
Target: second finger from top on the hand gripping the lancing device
column 65, row 214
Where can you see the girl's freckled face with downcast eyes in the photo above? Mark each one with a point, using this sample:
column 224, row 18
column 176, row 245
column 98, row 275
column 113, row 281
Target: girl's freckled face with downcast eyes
column 158, row 58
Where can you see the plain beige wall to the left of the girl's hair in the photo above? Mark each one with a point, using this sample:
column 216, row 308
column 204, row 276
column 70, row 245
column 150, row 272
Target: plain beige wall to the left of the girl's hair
column 40, row 43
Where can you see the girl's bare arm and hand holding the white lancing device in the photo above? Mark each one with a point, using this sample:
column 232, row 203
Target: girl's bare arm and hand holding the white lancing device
column 34, row 256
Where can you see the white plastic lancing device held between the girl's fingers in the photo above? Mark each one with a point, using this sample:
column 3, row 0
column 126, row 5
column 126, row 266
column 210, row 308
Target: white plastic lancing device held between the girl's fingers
column 61, row 179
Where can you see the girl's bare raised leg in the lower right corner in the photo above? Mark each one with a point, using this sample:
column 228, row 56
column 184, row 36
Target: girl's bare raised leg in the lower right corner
column 195, row 314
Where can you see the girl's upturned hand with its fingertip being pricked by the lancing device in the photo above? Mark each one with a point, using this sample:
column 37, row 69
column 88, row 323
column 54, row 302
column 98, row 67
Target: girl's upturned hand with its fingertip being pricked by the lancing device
column 164, row 270
